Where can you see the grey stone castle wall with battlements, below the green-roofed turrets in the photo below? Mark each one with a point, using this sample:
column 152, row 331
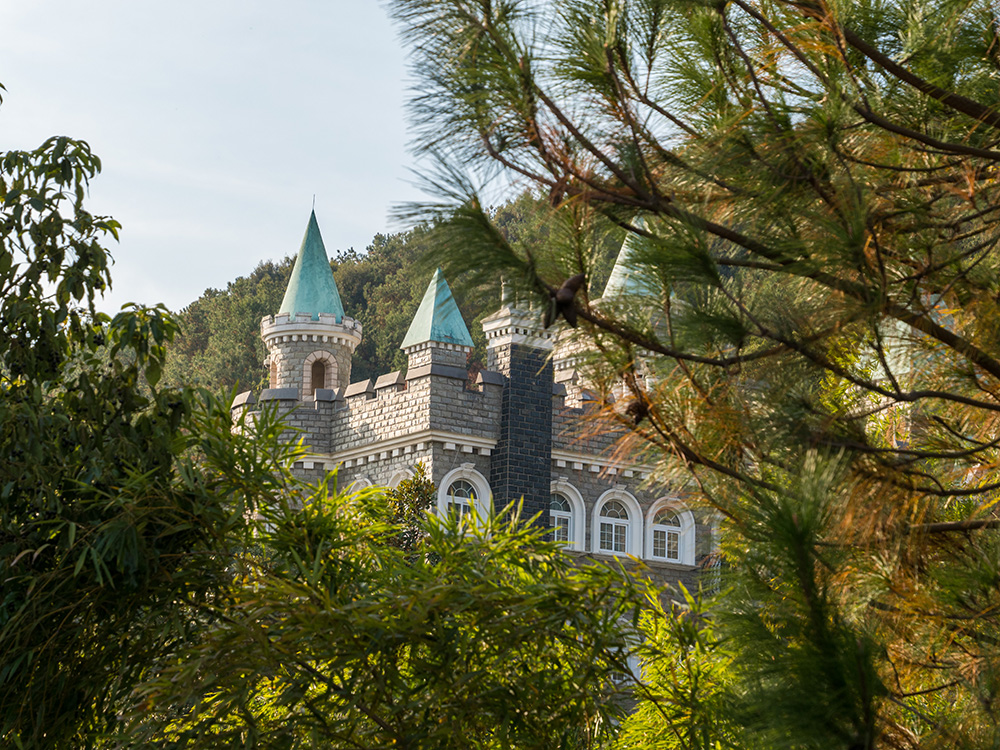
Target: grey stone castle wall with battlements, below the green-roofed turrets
column 523, row 434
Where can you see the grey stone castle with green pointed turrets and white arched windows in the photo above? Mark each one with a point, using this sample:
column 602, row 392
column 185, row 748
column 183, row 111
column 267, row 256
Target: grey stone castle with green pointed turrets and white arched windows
column 513, row 433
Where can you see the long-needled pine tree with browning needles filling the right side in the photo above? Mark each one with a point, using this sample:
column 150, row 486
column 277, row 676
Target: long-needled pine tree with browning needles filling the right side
column 810, row 328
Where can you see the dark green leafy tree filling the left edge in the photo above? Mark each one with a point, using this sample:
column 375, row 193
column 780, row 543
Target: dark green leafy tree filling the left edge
column 122, row 500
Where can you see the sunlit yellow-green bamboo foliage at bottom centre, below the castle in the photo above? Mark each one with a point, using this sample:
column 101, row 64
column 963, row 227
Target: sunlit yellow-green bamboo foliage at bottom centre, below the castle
column 491, row 638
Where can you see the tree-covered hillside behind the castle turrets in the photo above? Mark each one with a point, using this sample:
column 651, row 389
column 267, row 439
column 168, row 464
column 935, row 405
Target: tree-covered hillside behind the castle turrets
column 220, row 346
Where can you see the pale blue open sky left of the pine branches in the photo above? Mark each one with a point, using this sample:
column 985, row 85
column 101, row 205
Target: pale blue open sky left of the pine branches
column 217, row 122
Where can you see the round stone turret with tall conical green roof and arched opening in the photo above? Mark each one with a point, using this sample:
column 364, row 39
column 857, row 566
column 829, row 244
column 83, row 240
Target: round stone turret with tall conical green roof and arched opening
column 310, row 341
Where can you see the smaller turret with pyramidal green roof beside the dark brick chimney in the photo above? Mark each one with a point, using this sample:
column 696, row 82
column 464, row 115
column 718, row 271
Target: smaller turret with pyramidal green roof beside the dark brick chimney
column 437, row 335
